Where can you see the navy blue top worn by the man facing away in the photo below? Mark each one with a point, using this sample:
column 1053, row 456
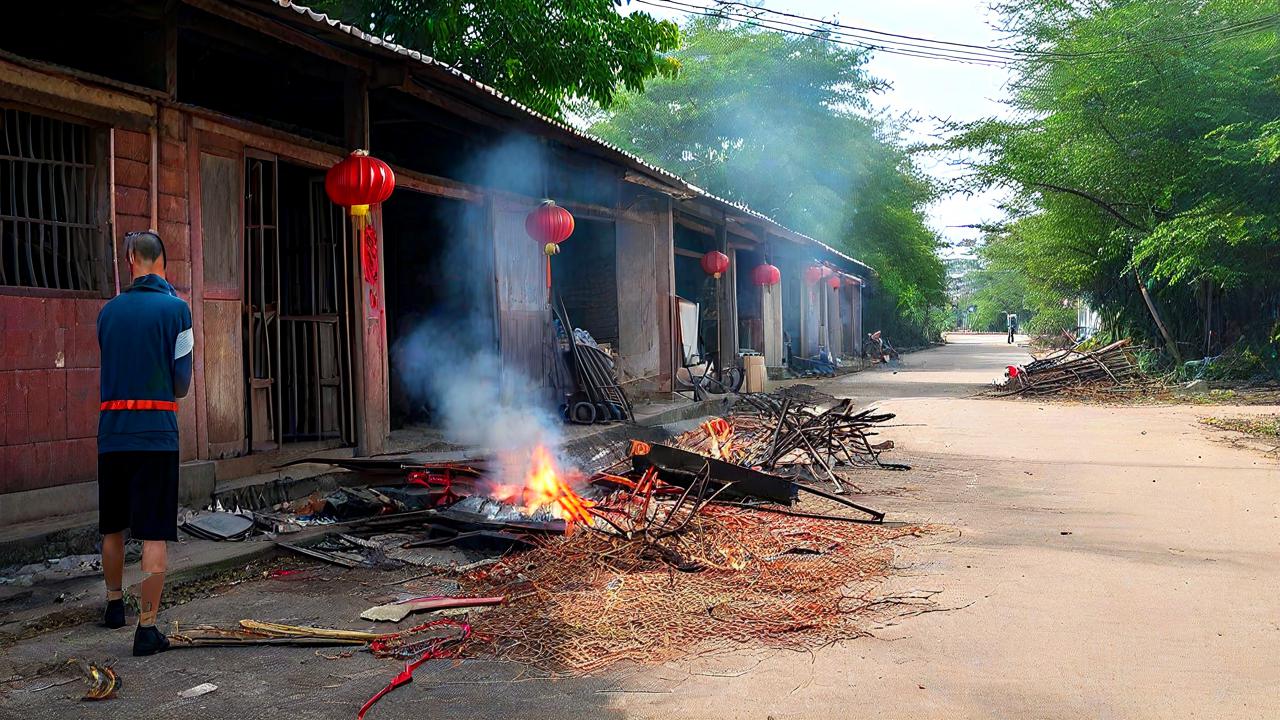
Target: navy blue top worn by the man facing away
column 147, row 341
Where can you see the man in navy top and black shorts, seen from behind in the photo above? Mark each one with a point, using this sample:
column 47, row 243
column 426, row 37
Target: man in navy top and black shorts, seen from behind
column 147, row 341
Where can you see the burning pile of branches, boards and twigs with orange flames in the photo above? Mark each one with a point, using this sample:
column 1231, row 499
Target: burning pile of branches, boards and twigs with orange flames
column 673, row 550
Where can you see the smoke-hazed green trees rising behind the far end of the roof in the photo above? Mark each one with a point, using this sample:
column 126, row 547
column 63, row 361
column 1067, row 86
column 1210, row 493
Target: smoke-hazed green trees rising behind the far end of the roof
column 784, row 125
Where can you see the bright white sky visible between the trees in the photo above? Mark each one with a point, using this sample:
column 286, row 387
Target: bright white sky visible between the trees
column 934, row 90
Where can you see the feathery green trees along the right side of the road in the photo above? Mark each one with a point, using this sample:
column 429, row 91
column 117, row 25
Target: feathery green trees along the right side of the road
column 1145, row 149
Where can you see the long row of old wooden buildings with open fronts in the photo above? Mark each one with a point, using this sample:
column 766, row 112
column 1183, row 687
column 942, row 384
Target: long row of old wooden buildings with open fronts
column 213, row 122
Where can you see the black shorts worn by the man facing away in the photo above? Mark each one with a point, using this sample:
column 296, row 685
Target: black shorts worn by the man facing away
column 139, row 491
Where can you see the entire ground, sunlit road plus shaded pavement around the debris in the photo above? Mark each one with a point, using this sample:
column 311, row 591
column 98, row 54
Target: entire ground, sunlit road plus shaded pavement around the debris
column 1105, row 563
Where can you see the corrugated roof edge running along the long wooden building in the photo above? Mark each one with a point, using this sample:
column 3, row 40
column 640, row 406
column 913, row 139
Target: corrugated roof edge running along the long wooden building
column 637, row 162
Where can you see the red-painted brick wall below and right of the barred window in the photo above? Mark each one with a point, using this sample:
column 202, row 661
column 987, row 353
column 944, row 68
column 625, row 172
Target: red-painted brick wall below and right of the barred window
column 49, row 359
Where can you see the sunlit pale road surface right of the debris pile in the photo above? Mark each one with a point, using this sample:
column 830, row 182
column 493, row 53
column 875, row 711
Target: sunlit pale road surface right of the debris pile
column 1114, row 563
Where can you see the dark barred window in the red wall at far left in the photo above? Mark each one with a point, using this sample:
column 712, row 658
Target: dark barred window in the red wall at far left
column 51, row 231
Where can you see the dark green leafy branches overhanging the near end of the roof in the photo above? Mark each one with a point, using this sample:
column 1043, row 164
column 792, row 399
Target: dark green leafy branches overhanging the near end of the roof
column 543, row 53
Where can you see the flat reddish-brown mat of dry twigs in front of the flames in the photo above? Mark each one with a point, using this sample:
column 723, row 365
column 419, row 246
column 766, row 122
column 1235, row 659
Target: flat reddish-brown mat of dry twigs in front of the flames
column 591, row 600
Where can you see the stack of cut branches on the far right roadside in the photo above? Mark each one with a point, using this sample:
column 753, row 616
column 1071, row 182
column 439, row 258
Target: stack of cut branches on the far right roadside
column 1112, row 366
